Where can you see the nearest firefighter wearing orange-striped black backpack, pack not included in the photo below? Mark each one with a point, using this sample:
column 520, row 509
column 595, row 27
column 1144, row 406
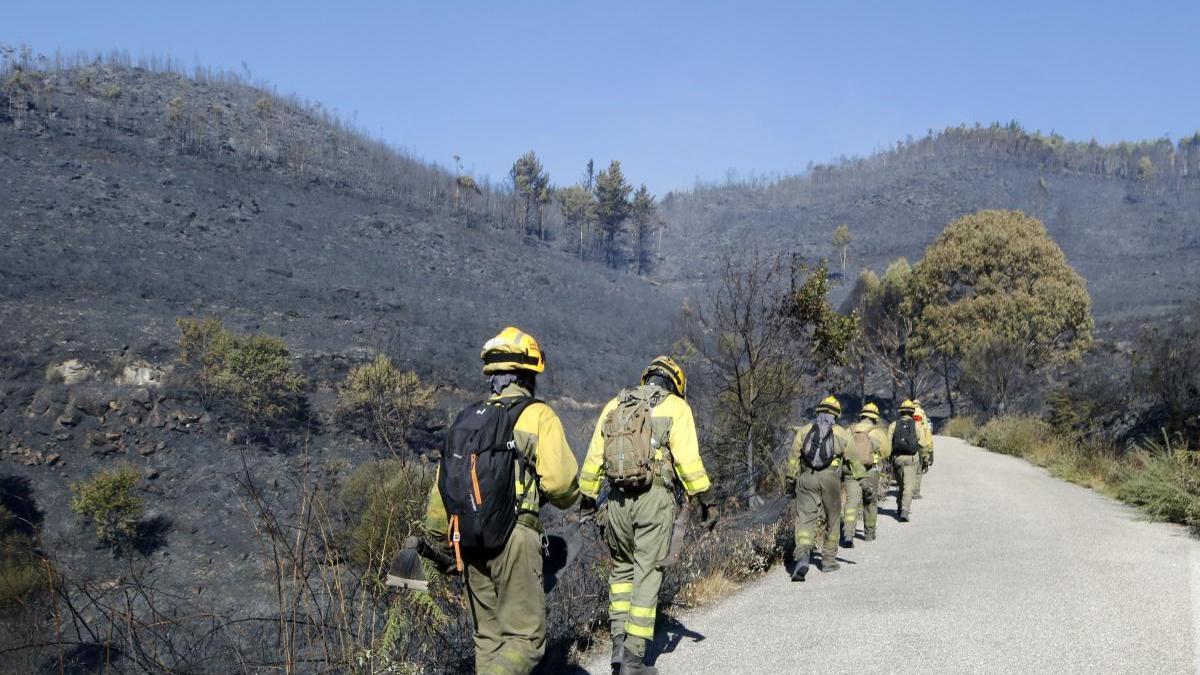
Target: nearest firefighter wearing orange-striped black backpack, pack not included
column 505, row 588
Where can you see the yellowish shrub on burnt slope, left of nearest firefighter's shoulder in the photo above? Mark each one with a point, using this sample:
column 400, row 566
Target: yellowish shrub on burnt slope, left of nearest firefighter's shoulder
column 381, row 402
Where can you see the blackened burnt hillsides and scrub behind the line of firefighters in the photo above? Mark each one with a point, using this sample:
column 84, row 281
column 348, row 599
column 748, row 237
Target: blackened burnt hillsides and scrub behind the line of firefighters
column 237, row 326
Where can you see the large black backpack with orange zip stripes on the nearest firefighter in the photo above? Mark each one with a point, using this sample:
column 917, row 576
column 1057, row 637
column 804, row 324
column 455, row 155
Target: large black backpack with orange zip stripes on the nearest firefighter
column 478, row 475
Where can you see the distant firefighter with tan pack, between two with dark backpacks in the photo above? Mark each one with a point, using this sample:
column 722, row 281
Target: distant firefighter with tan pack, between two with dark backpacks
column 861, row 477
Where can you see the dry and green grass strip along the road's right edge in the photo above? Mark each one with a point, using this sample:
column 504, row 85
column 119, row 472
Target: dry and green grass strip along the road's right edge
column 1160, row 477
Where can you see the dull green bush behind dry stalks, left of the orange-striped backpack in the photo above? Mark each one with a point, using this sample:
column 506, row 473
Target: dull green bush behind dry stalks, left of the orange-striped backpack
column 385, row 504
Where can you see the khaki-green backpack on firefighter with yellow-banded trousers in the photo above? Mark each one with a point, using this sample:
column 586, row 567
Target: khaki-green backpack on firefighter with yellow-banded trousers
column 629, row 445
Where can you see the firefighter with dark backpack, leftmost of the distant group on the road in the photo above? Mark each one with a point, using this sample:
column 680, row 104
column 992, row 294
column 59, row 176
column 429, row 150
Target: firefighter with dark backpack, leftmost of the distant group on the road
column 814, row 479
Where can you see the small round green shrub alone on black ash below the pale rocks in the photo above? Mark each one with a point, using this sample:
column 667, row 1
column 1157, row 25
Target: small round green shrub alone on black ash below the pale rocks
column 109, row 503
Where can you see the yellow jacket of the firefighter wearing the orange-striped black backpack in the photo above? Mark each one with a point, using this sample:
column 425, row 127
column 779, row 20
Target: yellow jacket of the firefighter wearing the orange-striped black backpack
column 541, row 438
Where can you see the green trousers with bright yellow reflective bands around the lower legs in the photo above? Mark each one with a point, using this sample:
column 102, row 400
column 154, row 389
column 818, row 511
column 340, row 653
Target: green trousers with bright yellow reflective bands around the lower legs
column 639, row 536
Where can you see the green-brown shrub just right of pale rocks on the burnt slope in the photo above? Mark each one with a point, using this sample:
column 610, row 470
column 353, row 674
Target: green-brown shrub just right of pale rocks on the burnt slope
column 255, row 373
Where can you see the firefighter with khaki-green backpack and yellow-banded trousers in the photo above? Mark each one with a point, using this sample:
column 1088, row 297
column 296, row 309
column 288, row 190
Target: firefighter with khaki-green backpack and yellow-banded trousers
column 645, row 444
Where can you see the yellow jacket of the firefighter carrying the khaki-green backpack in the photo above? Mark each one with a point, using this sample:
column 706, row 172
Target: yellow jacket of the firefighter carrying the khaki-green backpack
column 675, row 431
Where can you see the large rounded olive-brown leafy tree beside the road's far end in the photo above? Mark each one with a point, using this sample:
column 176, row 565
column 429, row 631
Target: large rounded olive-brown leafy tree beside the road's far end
column 995, row 292
